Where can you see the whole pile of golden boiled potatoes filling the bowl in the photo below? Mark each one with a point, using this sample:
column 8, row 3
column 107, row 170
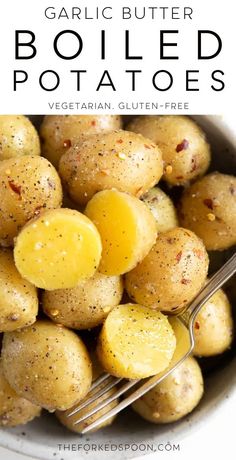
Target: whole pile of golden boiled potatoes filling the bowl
column 91, row 242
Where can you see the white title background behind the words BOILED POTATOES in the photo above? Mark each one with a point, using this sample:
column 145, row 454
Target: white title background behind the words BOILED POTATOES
column 29, row 98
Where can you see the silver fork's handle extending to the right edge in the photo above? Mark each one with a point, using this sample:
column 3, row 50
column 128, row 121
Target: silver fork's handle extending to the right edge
column 215, row 283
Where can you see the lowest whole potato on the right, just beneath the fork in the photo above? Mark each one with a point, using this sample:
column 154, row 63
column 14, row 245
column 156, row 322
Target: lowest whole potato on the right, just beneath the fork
column 174, row 397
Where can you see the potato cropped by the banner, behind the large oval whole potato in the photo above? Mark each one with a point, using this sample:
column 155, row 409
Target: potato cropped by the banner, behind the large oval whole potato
column 59, row 132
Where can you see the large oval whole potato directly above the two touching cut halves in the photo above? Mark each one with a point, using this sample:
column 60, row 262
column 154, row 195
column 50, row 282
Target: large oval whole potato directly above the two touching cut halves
column 126, row 161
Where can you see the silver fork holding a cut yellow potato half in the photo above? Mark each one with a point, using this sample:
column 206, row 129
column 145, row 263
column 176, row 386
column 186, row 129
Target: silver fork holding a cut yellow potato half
column 108, row 381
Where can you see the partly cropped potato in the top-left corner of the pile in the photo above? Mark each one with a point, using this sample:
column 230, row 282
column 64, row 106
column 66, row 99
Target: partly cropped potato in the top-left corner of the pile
column 17, row 137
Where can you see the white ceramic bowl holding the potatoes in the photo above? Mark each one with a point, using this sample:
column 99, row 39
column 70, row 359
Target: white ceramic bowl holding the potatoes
column 41, row 438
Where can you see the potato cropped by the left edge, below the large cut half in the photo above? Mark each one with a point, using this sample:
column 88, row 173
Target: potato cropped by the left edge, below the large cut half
column 18, row 299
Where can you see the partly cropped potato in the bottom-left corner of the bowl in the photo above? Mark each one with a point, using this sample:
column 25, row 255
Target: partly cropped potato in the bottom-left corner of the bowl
column 14, row 410
